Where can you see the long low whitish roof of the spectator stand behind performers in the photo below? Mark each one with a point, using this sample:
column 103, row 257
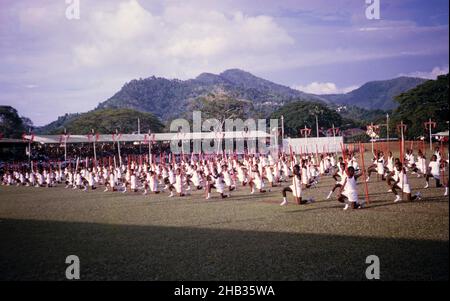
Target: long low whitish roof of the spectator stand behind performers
column 146, row 138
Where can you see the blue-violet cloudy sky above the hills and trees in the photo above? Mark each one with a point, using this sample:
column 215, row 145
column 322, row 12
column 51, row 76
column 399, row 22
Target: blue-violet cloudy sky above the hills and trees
column 52, row 64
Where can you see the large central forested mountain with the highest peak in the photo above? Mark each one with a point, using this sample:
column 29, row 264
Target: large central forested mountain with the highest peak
column 169, row 99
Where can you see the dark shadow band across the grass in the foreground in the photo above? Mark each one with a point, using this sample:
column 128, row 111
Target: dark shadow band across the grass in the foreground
column 36, row 250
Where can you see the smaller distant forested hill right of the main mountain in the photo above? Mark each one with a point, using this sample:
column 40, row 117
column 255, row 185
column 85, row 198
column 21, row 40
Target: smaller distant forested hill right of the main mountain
column 376, row 95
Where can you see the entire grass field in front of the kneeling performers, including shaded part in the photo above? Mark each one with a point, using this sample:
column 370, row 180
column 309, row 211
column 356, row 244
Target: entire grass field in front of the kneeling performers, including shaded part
column 247, row 237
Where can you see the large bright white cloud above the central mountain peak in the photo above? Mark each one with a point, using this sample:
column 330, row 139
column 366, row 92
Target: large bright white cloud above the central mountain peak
column 180, row 40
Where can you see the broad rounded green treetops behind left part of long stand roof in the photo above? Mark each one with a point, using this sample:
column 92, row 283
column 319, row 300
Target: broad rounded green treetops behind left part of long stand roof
column 104, row 121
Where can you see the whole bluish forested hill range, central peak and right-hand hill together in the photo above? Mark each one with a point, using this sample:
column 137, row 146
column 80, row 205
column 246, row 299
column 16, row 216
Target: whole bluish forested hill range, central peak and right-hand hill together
column 169, row 99
